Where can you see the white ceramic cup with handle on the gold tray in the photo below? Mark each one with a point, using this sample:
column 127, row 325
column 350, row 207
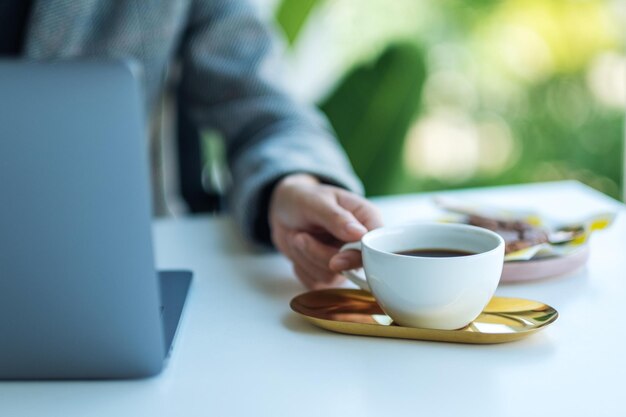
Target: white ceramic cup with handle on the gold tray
column 436, row 293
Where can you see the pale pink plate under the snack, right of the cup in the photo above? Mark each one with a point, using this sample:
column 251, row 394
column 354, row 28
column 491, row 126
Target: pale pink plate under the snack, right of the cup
column 519, row 271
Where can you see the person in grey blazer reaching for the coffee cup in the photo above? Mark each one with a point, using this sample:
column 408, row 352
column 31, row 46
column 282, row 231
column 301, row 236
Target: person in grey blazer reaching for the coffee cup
column 293, row 186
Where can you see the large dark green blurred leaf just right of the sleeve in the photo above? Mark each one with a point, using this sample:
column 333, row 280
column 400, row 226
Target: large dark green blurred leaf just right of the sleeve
column 372, row 110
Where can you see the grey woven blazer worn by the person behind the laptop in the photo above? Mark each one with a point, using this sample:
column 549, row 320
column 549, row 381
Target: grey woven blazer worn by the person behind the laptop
column 226, row 77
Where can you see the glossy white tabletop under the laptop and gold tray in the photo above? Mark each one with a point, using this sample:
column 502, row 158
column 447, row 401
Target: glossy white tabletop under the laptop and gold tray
column 242, row 352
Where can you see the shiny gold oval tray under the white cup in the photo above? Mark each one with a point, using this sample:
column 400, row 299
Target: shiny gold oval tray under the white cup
column 356, row 312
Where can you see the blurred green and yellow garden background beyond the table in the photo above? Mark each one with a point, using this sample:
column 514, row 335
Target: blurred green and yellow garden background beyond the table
column 435, row 94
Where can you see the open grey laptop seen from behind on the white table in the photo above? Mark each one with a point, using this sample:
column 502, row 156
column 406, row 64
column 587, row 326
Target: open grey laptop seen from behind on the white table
column 79, row 293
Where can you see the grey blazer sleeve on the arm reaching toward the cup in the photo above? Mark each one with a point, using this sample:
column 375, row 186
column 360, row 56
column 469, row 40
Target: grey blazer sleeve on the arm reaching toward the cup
column 229, row 80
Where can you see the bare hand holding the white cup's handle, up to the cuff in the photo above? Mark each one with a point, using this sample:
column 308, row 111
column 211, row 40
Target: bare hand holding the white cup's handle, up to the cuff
column 309, row 223
